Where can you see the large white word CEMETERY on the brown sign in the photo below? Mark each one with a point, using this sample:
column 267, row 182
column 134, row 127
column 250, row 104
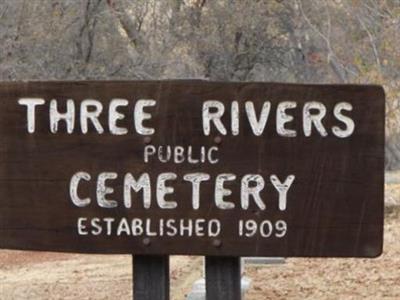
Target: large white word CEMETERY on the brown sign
column 251, row 186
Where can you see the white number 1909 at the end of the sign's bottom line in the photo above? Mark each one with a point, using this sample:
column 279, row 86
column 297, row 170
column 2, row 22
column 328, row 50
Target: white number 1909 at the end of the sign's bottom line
column 265, row 228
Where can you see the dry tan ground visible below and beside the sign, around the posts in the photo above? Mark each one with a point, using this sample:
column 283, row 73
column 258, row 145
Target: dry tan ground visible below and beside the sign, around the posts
column 42, row 275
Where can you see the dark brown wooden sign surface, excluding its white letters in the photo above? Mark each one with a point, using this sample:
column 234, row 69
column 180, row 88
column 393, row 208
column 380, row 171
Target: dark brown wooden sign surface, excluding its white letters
column 334, row 205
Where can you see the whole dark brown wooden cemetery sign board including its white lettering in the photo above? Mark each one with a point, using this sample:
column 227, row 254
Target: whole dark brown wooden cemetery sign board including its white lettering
column 192, row 167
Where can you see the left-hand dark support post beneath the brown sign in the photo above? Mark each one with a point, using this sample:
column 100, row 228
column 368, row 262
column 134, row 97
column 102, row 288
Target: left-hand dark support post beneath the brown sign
column 150, row 277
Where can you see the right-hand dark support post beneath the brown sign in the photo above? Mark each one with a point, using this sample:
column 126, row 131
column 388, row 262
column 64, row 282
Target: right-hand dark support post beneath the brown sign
column 223, row 278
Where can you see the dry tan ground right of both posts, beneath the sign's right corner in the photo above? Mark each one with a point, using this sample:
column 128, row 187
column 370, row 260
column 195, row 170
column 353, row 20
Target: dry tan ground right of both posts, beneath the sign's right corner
column 342, row 278
